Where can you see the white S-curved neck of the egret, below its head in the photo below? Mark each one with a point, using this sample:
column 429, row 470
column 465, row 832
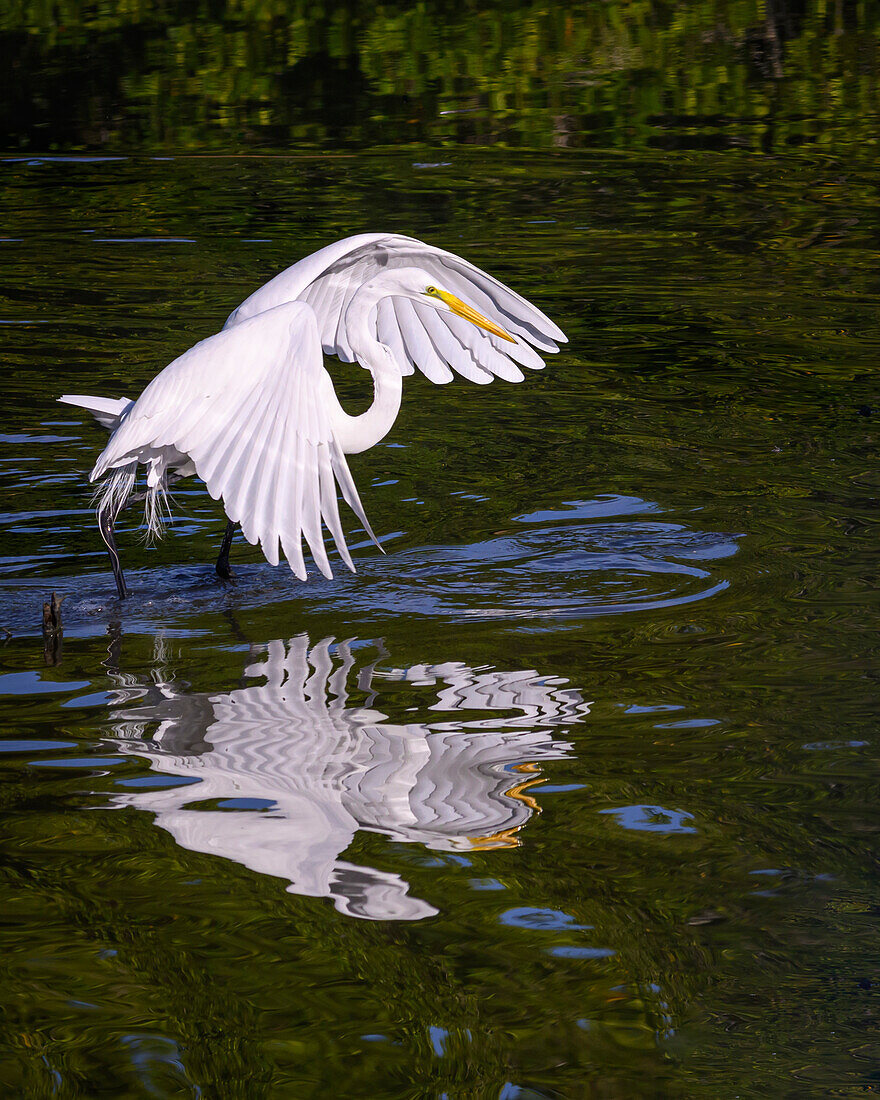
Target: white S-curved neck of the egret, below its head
column 356, row 434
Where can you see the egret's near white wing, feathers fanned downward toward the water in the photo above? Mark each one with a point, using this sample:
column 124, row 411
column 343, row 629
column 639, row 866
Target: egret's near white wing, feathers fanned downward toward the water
column 252, row 409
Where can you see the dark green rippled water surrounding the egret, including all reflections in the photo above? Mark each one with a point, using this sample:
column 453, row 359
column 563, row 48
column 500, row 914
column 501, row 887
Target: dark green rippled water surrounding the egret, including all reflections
column 574, row 793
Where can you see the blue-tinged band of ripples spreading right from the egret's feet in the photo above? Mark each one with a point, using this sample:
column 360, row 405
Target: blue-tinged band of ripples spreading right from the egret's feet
column 589, row 559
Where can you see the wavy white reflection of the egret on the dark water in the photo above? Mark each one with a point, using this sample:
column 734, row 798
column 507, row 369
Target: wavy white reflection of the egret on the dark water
column 284, row 774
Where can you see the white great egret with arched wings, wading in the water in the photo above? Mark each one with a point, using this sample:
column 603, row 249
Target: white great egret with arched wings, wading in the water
column 252, row 410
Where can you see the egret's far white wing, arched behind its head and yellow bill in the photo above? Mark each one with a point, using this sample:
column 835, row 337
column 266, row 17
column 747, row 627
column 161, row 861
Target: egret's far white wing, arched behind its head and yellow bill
column 421, row 337
